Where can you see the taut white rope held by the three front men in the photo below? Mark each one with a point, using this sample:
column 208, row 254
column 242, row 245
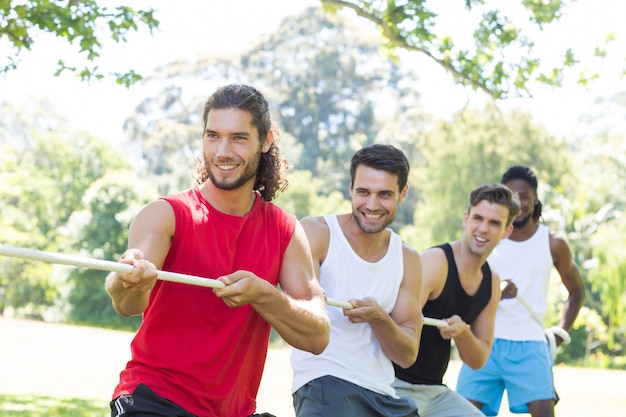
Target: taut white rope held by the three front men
column 101, row 265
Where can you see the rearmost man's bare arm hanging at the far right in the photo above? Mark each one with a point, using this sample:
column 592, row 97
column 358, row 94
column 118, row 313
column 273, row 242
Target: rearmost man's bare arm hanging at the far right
column 570, row 275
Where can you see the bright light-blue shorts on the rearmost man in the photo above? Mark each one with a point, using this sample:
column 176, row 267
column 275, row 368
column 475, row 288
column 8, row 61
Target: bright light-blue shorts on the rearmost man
column 523, row 368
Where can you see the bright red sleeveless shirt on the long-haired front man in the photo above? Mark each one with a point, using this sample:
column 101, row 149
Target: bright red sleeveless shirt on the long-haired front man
column 191, row 348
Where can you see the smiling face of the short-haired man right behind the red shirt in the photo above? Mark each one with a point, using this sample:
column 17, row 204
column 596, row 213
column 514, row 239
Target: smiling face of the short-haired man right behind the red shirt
column 375, row 198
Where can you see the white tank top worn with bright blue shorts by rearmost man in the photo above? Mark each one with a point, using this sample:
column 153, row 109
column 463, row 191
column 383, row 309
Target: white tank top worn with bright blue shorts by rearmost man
column 529, row 265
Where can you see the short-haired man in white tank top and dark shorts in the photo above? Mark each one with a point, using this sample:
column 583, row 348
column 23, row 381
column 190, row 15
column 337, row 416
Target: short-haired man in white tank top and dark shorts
column 361, row 261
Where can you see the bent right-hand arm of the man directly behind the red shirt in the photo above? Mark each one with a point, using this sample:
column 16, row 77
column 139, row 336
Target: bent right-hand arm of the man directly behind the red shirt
column 398, row 332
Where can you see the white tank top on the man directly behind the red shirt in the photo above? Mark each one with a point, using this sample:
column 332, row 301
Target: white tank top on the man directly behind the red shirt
column 353, row 353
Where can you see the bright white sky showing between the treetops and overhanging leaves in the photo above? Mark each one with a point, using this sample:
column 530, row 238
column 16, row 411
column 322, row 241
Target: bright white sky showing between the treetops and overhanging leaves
column 190, row 28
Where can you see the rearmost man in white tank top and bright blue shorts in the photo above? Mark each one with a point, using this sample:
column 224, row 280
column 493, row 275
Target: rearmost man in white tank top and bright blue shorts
column 520, row 359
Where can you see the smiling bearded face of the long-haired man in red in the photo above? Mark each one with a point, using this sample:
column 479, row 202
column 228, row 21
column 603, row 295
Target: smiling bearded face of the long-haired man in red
column 232, row 148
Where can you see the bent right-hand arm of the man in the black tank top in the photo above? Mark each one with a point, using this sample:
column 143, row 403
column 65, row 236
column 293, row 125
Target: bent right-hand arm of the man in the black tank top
column 474, row 343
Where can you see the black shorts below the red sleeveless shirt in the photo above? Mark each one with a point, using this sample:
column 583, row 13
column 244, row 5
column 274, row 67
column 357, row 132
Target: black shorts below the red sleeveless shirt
column 144, row 402
